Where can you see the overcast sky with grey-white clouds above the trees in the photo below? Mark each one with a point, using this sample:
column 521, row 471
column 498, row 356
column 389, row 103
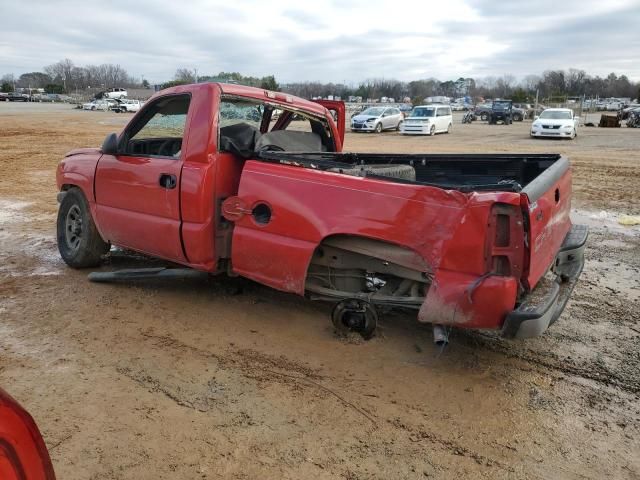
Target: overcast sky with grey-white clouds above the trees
column 349, row 40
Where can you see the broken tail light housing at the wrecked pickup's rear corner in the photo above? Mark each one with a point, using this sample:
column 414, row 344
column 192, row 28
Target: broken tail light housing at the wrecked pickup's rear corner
column 505, row 241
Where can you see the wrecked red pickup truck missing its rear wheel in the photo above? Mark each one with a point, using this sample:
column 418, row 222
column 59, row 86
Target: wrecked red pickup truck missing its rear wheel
column 253, row 183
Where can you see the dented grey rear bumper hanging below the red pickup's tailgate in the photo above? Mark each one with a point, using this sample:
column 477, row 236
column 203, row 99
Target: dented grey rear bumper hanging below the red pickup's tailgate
column 546, row 302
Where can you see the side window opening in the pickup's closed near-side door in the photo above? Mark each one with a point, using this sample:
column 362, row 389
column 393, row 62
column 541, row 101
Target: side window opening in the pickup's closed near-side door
column 160, row 129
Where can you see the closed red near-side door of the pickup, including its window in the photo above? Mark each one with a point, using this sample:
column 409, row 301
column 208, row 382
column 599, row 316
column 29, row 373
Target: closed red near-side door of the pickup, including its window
column 137, row 190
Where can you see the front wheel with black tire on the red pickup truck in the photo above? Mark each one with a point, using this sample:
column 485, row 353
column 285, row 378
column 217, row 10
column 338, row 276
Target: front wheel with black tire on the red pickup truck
column 79, row 243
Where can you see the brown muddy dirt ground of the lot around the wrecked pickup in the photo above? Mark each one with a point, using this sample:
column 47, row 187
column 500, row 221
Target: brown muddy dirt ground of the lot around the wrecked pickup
column 181, row 379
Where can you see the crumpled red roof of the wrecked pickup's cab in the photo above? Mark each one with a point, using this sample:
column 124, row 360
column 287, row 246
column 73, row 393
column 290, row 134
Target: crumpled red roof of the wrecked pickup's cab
column 251, row 92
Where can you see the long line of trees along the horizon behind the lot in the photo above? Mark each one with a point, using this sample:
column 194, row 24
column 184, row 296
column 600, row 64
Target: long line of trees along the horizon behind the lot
column 65, row 77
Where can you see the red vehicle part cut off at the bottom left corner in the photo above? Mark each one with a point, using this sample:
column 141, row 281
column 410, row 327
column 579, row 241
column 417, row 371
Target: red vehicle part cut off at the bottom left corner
column 23, row 454
